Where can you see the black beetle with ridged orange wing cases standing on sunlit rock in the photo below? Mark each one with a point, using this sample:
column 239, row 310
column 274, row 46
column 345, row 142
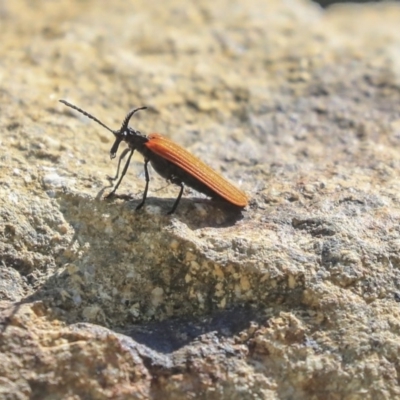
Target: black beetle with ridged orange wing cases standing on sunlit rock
column 171, row 161
